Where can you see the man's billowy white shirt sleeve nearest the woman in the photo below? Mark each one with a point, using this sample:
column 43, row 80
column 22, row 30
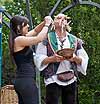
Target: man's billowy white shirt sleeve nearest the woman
column 41, row 54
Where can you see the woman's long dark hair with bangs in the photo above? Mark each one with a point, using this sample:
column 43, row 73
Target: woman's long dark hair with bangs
column 16, row 25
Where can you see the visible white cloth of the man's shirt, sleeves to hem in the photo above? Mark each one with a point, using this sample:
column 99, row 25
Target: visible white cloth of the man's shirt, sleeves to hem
column 41, row 54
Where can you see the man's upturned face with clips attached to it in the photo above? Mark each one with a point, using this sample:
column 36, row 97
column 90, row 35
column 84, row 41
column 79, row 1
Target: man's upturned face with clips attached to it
column 60, row 21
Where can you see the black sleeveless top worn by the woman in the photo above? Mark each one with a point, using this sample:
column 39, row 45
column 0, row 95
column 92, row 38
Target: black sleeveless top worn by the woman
column 24, row 63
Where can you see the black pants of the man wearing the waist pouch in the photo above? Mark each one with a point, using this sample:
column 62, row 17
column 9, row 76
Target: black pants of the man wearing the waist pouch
column 68, row 94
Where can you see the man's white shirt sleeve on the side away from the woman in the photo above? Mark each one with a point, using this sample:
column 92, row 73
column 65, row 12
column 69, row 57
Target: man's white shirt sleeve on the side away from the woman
column 83, row 55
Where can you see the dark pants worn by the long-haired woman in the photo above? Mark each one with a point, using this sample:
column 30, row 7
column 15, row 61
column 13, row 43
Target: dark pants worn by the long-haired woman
column 26, row 90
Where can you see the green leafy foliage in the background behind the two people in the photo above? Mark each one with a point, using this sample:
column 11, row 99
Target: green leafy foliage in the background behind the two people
column 85, row 25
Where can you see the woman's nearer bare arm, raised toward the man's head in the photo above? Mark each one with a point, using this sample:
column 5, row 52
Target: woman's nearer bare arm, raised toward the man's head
column 22, row 41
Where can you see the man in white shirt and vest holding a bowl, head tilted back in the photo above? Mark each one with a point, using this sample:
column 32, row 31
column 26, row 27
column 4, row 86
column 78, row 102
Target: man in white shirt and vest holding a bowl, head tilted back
column 60, row 72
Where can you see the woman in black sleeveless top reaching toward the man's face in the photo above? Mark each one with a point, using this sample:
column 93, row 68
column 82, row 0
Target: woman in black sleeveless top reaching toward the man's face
column 20, row 40
